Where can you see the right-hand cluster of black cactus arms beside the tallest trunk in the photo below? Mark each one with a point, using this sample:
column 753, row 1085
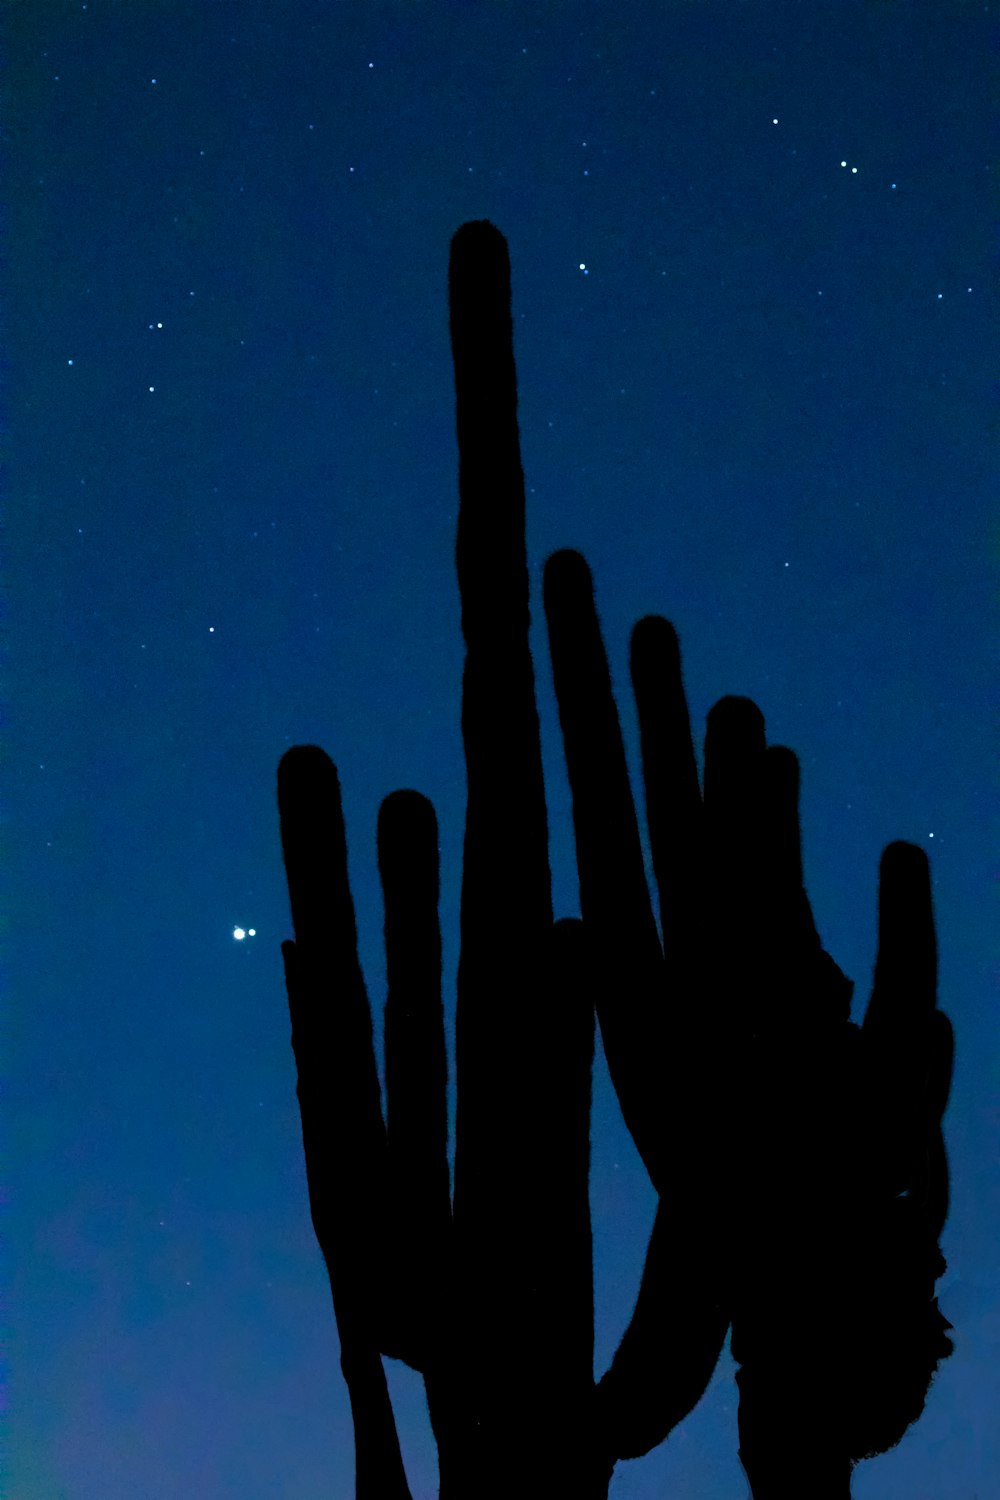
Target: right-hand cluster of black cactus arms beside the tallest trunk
column 800, row 1157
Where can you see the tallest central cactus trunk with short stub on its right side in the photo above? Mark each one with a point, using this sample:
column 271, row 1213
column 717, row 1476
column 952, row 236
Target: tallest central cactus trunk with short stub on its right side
column 524, row 1028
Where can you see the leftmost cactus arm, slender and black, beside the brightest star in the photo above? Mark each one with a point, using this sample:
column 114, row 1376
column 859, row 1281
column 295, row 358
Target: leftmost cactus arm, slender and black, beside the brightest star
column 344, row 1133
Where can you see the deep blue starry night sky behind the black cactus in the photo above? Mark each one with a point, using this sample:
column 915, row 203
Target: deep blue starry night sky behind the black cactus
column 752, row 319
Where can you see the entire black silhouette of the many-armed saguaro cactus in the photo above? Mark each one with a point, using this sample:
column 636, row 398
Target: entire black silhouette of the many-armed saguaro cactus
column 764, row 1117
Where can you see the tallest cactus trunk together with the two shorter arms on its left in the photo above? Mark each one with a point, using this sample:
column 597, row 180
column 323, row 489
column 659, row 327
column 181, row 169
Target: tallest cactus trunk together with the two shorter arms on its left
column 493, row 1301
